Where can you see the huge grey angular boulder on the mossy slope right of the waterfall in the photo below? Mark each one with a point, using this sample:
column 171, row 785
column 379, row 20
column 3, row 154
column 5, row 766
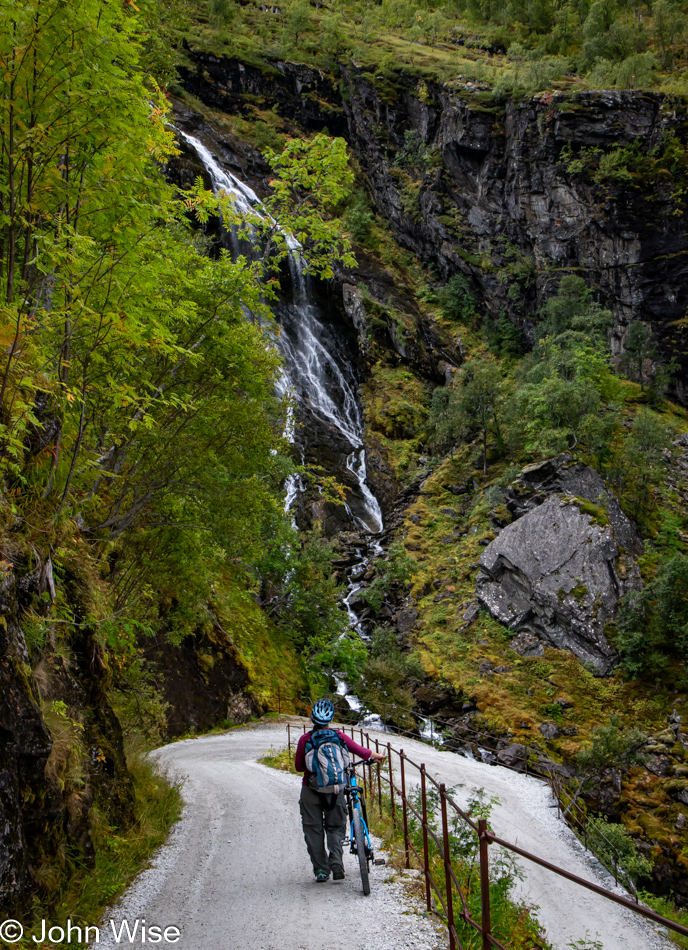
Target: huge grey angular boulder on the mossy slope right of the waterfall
column 557, row 573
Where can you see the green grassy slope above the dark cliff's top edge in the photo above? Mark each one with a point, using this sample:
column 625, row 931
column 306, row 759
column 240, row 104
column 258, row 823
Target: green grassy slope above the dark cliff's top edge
column 464, row 50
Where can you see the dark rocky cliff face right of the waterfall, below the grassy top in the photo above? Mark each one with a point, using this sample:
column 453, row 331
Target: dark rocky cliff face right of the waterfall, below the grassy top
column 490, row 191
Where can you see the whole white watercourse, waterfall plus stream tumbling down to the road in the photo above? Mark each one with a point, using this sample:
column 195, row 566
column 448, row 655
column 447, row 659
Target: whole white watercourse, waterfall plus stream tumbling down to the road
column 315, row 376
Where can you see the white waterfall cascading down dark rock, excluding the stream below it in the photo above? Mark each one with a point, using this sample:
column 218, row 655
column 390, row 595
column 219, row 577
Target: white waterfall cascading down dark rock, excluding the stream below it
column 314, row 370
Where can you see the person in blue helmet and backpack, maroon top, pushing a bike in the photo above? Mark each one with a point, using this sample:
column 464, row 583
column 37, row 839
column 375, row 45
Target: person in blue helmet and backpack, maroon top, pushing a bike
column 322, row 755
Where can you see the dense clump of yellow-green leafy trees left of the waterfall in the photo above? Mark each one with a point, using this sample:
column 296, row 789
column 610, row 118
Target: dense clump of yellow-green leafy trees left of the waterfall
column 137, row 402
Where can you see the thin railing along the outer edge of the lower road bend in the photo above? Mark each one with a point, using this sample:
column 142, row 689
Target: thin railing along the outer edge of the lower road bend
column 568, row 807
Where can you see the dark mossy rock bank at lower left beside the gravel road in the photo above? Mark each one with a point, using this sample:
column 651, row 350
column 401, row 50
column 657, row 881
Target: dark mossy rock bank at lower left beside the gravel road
column 60, row 746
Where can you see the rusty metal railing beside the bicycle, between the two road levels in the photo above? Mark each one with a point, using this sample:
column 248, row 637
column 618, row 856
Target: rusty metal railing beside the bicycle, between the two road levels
column 399, row 801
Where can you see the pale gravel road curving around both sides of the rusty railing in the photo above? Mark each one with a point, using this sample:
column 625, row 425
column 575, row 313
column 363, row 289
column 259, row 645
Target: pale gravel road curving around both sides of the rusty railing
column 235, row 873
